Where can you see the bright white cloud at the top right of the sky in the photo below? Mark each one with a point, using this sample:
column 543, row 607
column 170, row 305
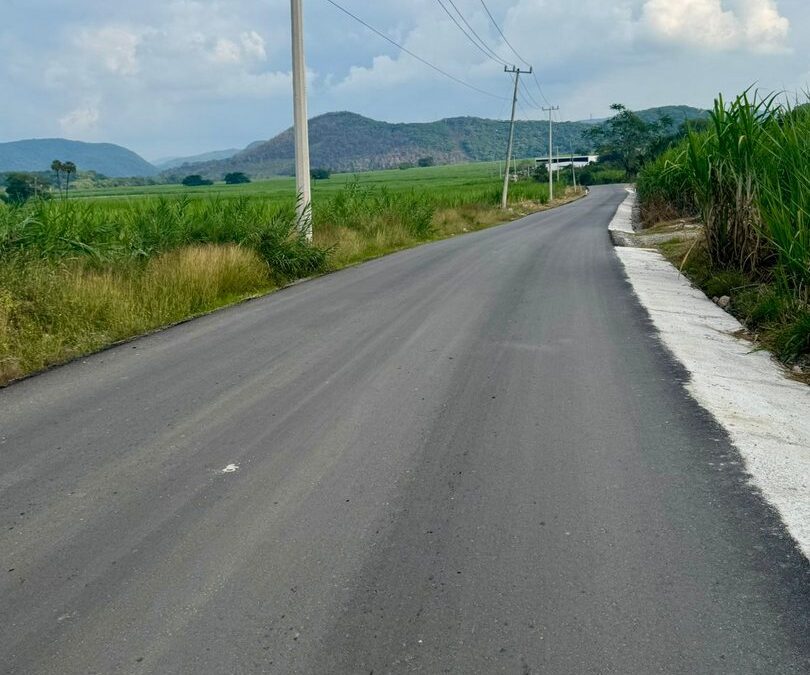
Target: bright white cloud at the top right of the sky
column 755, row 25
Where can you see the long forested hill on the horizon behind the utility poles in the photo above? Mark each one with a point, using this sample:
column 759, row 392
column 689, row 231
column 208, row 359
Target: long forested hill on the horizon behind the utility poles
column 345, row 141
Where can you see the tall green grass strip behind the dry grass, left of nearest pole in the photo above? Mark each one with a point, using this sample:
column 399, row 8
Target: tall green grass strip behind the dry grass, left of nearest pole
column 108, row 232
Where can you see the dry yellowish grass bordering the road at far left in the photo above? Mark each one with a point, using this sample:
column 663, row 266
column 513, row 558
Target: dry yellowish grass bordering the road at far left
column 52, row 313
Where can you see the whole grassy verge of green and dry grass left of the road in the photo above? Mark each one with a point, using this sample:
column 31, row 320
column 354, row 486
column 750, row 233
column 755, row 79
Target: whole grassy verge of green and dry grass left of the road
column 77, row 277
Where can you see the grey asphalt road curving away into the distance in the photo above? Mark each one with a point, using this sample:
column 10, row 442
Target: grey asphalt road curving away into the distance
column 470, row 457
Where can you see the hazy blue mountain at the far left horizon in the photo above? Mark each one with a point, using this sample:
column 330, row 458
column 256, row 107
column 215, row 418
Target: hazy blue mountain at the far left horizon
column 105, row 158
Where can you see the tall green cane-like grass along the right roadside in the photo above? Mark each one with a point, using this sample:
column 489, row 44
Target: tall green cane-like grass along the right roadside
column 748, row 177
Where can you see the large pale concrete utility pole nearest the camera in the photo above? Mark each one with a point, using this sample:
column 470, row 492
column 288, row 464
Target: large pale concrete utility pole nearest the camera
column 302, row 177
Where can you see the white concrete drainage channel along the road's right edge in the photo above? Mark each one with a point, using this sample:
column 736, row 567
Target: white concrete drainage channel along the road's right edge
column 764, row 412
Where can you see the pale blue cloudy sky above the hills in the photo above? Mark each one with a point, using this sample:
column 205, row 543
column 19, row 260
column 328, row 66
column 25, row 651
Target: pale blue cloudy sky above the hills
column 179, row 77
